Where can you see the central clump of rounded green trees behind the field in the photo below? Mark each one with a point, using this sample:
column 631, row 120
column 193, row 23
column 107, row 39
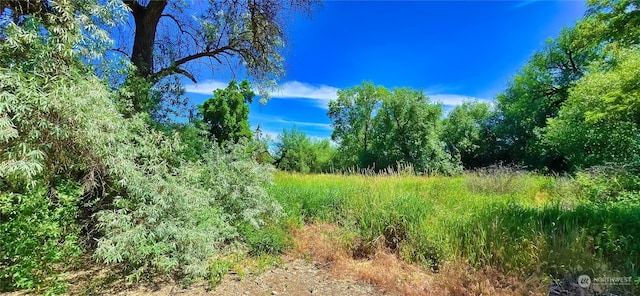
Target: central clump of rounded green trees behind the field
column 379, row 129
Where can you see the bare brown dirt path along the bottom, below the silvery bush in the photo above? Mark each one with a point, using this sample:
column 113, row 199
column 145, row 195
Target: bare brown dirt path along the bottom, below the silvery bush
column 292, row 277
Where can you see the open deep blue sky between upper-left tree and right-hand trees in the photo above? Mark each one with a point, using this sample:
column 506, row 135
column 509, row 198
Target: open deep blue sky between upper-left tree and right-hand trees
column 453, row 50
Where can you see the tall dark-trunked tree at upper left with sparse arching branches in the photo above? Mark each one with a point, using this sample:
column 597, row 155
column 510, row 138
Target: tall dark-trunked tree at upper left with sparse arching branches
column 170, row 36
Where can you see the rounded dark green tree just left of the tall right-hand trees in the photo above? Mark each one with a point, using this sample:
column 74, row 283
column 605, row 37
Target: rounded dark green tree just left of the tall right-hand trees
column 466, row 133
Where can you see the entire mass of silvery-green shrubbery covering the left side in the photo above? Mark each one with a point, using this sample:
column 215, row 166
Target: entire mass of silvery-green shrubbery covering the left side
column 71, row 165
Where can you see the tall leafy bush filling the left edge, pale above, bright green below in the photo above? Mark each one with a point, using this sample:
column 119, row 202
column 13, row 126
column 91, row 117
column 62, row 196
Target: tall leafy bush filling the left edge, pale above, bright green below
column 53, row 113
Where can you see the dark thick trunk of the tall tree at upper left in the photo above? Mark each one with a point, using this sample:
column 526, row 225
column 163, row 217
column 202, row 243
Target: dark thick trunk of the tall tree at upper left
column 146, row 19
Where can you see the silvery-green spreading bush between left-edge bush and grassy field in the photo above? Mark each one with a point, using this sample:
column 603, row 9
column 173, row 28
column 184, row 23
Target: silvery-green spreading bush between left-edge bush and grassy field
column 173, row 218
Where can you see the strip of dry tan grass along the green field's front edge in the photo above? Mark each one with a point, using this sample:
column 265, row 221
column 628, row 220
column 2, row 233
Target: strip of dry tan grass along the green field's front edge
column 345, row 256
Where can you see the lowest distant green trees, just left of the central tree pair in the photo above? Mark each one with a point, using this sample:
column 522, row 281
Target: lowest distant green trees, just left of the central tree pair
column 297, row 152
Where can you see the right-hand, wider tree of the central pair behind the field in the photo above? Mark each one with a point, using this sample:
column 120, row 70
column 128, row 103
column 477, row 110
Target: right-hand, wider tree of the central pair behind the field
column 406, row 132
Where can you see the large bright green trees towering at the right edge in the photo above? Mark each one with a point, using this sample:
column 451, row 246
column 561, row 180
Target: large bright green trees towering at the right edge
column 567, row 108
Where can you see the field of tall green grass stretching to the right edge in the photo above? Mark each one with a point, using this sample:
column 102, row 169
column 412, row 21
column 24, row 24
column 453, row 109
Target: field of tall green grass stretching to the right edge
column 521, row 224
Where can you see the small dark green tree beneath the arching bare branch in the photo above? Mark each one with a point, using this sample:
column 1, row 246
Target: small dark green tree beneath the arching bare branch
column 227, row 113
